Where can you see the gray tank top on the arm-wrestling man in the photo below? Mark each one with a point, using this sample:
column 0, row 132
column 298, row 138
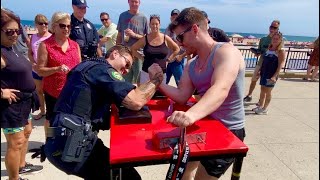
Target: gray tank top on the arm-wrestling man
column 231, row 112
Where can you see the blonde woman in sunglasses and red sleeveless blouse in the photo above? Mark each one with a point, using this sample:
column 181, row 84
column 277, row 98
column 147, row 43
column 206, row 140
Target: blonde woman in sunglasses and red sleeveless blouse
column 56, row 56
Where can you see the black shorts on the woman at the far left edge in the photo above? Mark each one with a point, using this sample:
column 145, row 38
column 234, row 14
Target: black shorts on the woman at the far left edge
column 16, row 114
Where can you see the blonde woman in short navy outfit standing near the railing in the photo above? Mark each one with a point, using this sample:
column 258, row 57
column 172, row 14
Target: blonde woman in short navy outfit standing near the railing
column 273, row 61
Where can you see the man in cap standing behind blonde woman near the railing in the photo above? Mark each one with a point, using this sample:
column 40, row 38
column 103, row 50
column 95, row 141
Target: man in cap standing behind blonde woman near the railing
column 262, row 48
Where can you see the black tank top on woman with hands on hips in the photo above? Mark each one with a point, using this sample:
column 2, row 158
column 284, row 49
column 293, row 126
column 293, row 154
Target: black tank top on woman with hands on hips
column 155, row 54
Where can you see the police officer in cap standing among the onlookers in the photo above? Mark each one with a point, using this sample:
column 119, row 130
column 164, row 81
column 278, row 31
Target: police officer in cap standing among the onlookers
column 83, row 31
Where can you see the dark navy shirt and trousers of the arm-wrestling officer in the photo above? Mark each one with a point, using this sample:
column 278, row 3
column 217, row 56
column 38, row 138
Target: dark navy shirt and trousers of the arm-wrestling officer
column 90, row 89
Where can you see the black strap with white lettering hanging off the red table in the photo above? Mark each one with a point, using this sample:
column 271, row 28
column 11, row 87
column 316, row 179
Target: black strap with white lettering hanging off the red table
column 180, row 158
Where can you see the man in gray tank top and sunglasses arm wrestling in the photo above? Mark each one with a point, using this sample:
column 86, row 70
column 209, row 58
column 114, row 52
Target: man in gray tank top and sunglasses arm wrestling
column 217, row 73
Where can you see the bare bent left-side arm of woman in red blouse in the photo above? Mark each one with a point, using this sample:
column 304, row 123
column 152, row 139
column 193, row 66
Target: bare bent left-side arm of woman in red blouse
column 42, row 68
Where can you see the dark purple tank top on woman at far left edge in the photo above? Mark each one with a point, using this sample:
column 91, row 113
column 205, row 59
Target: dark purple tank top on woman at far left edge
column 17, row 73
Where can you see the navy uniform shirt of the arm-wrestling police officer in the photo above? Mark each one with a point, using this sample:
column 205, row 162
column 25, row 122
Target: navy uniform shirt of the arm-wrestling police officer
column 106, row 86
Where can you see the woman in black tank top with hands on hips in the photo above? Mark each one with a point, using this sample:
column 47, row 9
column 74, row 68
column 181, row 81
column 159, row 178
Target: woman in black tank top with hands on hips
column 155, row 49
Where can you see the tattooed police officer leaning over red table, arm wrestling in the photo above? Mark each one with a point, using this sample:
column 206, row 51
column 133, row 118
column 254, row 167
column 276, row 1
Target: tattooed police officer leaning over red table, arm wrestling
column 83, row 108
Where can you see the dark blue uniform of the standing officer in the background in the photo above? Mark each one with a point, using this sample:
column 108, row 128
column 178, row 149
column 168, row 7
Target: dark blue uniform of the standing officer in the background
column 86, row 35
